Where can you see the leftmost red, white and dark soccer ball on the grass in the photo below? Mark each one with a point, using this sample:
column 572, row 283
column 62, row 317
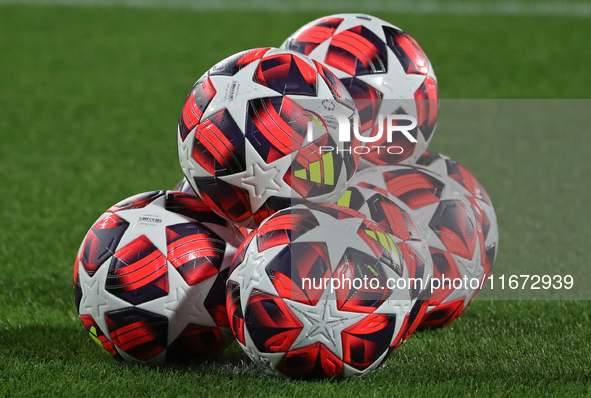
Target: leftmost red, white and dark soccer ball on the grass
column 149, row 280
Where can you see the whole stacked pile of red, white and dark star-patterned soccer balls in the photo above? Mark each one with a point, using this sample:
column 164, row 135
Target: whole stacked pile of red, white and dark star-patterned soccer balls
column 311, row 225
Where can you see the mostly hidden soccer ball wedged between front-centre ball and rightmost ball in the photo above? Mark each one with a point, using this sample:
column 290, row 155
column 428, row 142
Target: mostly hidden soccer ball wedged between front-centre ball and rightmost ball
column 393, row 216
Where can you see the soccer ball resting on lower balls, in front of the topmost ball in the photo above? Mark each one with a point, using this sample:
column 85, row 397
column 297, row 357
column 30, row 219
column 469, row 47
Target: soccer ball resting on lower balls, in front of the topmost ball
column 251, row 131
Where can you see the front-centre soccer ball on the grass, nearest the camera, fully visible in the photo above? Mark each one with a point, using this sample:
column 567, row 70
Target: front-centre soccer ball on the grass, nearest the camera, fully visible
column 319, row 291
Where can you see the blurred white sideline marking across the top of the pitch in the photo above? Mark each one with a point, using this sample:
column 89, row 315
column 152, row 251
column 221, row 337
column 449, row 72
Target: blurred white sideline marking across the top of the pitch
column 579, row 9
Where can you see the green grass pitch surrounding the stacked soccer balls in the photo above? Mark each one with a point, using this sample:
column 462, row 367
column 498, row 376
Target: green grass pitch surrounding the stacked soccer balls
column 89, row 101
